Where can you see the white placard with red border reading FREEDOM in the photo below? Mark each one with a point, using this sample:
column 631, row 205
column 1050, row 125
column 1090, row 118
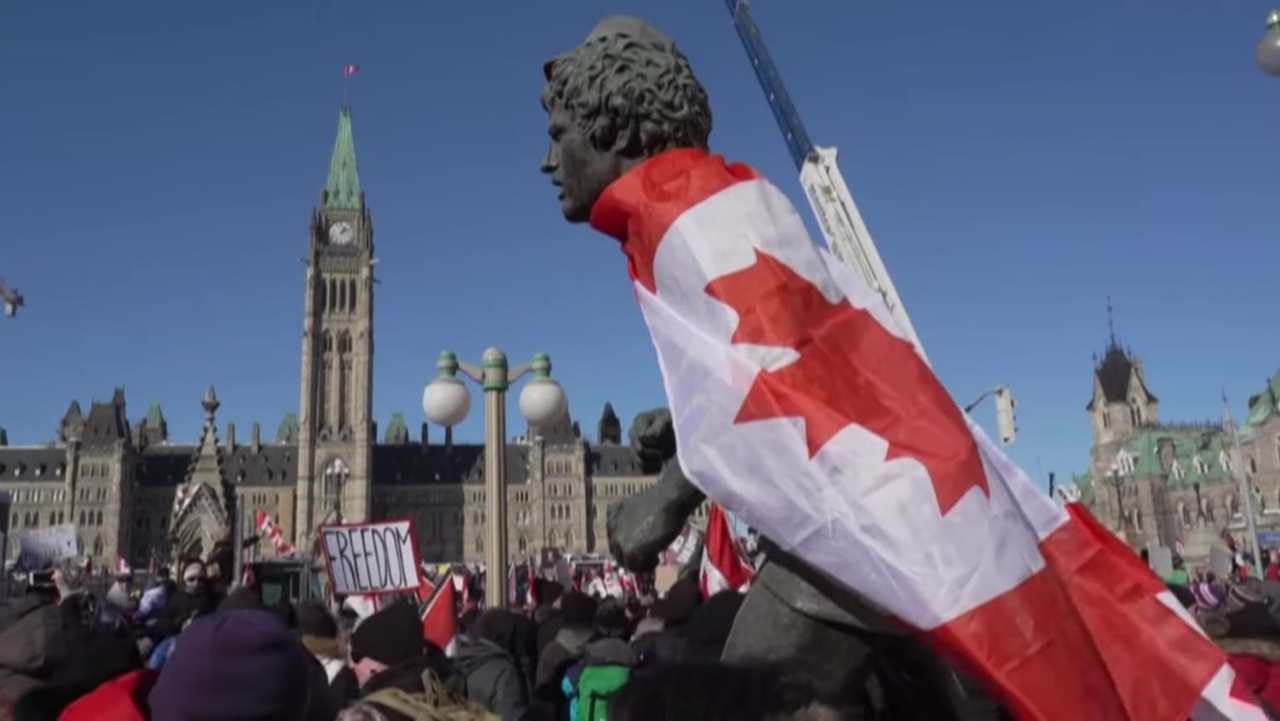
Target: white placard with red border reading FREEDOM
column 373, row 558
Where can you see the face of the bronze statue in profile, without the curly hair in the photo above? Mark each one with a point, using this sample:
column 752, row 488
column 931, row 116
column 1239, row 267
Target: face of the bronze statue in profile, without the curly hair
column 578, row 168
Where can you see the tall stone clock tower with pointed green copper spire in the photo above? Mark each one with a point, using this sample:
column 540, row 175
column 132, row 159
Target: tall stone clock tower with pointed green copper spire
column 336, row 417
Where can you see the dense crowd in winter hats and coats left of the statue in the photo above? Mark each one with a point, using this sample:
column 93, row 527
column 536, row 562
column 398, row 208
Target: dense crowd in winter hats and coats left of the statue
column 189, row 650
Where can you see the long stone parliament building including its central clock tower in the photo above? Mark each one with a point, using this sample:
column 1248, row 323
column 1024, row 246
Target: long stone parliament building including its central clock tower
column 135, row 494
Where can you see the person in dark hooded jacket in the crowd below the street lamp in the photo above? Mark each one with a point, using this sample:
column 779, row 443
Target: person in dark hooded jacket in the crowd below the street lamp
column 486, row 660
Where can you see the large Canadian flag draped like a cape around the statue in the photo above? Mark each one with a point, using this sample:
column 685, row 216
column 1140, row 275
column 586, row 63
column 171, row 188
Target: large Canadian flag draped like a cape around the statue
column 799, row 405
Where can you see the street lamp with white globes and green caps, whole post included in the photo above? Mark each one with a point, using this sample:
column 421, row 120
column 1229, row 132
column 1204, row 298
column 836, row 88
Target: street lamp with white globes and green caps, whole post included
column 446, row 403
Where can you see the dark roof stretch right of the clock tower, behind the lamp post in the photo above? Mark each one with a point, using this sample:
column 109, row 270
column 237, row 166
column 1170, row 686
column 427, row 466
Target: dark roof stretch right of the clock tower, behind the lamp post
column 413, row 464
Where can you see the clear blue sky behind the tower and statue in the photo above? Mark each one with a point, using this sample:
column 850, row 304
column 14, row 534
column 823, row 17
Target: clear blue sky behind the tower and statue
column 1016, row 162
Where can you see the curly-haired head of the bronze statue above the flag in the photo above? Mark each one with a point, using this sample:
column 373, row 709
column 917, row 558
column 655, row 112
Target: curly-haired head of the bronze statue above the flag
column 627, row 94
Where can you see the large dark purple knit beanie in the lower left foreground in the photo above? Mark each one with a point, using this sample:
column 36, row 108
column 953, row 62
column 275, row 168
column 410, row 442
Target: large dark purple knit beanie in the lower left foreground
column 230, row 667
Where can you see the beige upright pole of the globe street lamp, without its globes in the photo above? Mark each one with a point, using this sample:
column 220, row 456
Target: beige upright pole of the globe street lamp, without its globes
column 496, row 477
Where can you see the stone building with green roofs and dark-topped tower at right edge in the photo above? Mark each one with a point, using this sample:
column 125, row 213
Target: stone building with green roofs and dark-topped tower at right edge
column 1159, row 483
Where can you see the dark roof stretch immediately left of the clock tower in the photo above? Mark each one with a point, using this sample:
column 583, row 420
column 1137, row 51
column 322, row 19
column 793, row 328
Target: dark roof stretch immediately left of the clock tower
column 272, row 466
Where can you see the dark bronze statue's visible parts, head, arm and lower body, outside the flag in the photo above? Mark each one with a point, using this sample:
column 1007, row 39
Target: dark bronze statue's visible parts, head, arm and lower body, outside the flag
column 625, row 95
